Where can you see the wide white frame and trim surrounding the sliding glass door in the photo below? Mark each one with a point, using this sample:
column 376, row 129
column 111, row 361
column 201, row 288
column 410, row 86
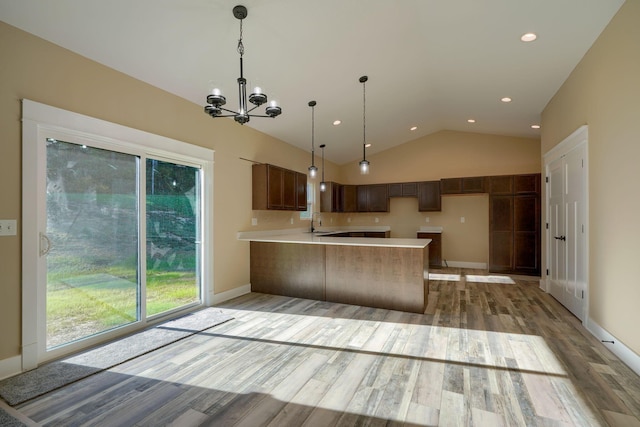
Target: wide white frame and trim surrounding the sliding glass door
column 40, row 121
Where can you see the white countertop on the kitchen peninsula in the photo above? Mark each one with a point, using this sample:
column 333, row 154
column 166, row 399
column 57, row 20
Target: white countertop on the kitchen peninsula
column 294, row 236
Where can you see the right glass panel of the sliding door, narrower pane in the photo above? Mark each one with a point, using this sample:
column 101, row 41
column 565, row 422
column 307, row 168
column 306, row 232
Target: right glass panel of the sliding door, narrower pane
column 173, row 230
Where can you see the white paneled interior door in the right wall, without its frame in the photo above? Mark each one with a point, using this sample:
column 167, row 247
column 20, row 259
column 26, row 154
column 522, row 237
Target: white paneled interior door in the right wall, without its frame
column 566, row 219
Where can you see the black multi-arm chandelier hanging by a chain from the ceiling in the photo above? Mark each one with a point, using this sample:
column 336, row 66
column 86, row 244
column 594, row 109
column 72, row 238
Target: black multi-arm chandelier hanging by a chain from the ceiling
column 215, row 100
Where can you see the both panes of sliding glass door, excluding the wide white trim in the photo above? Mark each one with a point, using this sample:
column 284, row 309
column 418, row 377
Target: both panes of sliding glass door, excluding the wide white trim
column 96, row 277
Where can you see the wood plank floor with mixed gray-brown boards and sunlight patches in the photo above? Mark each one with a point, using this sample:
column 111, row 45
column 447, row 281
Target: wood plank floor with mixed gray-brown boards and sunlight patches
column 483, row 354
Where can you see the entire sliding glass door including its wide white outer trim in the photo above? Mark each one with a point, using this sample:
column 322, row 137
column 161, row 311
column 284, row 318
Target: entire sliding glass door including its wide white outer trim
column 116, row 223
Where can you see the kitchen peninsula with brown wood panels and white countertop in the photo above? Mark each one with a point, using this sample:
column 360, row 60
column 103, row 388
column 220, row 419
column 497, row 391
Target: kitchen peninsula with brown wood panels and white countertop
column 387, row 273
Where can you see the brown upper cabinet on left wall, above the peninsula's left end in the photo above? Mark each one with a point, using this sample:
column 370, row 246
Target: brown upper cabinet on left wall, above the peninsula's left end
column 276, row 188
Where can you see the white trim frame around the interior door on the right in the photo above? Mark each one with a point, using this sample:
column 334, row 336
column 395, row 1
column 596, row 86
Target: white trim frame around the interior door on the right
column 578, row 138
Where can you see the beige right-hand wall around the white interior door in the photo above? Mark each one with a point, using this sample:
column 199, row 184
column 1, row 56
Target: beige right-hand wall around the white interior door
column 604, row 92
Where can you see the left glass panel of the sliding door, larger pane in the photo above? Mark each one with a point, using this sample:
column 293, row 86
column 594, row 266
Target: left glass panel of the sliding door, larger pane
column 92, row 224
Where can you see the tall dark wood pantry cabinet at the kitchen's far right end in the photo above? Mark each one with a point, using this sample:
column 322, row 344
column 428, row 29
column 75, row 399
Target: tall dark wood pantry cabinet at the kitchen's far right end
column 514, row 225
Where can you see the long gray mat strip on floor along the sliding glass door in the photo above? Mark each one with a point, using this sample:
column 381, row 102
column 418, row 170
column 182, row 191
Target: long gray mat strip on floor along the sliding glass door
column 26, row 386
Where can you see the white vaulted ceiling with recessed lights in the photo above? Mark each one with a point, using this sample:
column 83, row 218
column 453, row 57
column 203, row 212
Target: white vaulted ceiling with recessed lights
column 431, row 63
